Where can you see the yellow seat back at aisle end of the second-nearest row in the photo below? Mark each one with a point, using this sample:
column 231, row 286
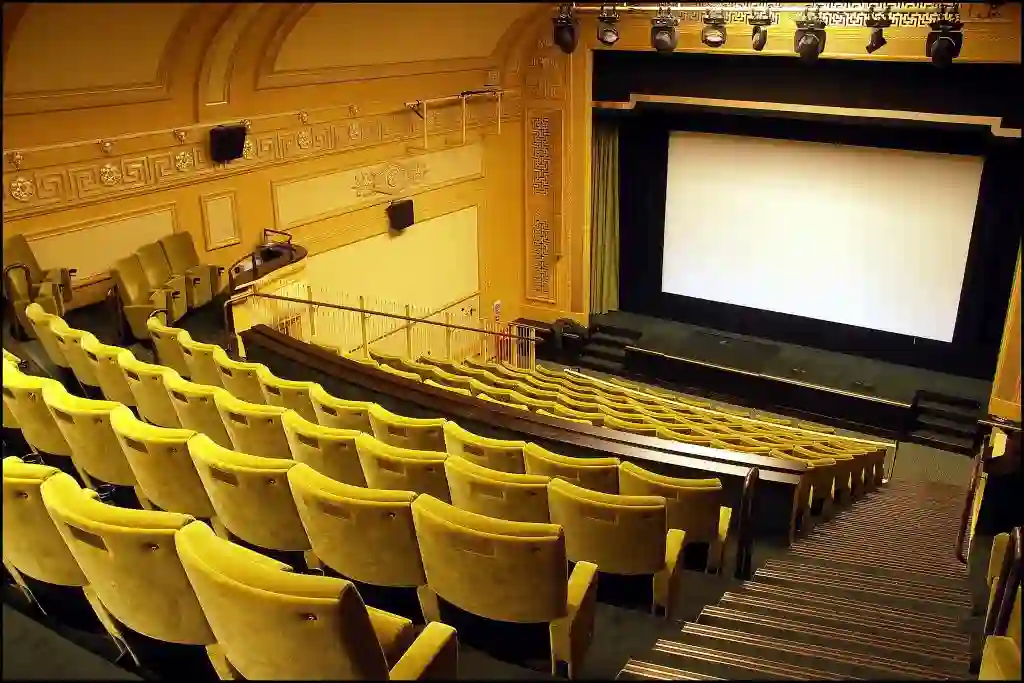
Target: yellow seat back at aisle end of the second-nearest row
column 495, row 569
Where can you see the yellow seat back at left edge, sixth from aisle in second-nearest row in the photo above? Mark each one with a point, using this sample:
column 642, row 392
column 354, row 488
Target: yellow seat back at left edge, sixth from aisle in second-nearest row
column 23, row 395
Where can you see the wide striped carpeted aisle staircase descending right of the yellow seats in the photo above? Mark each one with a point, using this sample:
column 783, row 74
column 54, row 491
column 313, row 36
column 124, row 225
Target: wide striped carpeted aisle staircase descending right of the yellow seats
column 875, row 593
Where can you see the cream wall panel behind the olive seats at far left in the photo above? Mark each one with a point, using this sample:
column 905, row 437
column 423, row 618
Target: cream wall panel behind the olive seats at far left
column 95, row 246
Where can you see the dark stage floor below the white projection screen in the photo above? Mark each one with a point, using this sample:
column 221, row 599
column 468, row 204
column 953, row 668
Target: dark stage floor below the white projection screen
column 826, row 369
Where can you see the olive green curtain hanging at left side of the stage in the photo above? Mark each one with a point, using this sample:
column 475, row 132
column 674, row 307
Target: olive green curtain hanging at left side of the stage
column 605, row 219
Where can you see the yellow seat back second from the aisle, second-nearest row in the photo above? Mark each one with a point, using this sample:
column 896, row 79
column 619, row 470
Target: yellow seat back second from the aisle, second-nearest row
column 364, row 534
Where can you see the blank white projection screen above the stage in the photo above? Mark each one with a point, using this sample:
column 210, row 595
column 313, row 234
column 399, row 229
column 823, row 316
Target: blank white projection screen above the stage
column 866, row 237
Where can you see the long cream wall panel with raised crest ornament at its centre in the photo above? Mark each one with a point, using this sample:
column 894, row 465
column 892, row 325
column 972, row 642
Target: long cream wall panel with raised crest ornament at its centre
column 306, row 200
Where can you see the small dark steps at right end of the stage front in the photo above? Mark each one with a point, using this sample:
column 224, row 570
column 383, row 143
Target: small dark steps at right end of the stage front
column 946, row 422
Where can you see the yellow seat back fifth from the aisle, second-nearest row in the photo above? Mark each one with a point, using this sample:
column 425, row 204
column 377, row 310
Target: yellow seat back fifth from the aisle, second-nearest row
column 87, row 426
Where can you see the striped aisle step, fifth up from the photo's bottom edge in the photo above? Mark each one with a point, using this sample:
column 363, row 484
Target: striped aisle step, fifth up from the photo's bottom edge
column 938, row 636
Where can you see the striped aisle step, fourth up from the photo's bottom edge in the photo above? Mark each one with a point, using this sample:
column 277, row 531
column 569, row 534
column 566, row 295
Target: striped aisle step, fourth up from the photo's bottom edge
column 834, row 637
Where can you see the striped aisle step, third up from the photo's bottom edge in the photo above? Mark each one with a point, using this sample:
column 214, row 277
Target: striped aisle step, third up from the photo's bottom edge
column 813, row 657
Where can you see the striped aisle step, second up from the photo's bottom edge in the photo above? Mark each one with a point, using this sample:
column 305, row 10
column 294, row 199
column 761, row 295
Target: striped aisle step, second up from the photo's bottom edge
column 731, row 666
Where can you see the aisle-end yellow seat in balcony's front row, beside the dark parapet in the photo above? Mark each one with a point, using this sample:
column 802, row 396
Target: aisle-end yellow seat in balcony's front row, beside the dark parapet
column 695, row 506
